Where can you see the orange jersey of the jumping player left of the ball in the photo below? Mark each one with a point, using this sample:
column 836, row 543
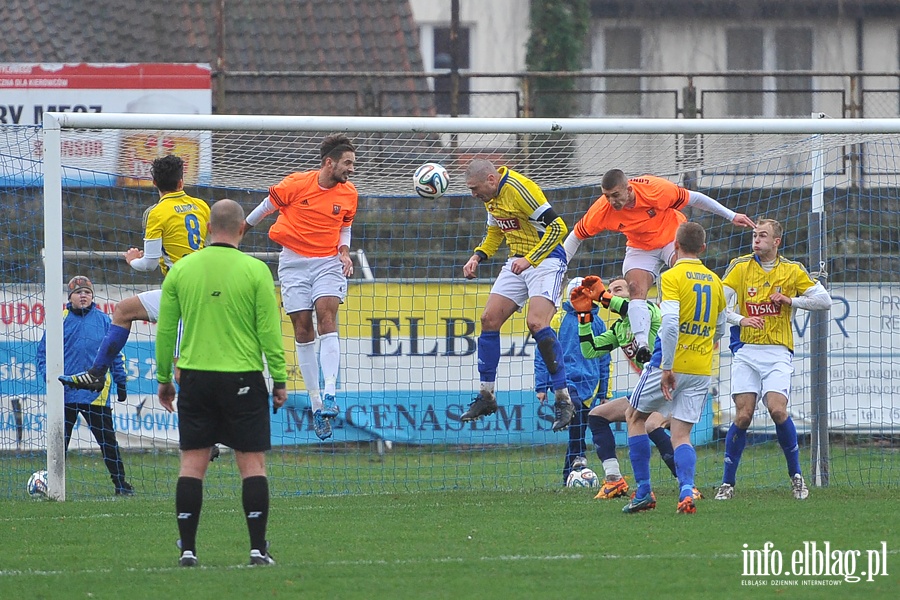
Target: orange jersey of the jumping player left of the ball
column 310, row 217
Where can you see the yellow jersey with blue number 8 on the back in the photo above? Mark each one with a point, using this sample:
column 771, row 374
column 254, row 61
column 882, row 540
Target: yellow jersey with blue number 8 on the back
column 180, row 221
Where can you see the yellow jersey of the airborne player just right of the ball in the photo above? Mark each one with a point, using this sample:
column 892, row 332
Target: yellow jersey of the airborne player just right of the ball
column 514, row 214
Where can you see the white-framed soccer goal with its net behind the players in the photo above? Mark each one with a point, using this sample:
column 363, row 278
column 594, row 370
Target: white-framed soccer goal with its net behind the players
column 76, row 191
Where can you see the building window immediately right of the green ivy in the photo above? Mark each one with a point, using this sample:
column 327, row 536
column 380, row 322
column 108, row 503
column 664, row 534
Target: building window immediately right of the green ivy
column 622, row 51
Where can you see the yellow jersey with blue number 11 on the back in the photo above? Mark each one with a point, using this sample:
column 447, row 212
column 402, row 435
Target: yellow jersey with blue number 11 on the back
column 701, row 299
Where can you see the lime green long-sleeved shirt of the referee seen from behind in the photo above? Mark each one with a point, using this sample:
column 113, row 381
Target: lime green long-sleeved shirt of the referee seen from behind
column 226, row 300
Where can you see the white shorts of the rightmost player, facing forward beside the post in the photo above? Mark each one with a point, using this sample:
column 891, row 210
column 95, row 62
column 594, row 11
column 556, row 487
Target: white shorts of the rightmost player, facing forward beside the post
column 760, row 369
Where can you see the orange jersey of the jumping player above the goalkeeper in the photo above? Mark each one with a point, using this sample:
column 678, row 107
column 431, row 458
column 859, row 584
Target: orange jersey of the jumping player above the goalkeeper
column 649, row 224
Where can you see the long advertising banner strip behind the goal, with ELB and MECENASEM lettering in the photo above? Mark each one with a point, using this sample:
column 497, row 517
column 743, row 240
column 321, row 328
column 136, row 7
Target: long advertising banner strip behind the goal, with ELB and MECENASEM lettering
column 409, row 370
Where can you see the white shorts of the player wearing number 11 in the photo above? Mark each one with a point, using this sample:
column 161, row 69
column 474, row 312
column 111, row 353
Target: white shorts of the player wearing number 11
column 691, row 392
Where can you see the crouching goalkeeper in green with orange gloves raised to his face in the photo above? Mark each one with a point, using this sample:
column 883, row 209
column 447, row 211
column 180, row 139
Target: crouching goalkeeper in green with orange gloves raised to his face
column 619, row 335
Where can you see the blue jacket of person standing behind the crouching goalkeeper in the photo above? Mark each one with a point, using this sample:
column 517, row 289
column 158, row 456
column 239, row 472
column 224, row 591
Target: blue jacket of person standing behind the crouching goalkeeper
column 587, row 377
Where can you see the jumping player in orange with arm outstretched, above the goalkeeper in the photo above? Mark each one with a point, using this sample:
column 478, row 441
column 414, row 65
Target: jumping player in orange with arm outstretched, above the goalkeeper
column 647, row 210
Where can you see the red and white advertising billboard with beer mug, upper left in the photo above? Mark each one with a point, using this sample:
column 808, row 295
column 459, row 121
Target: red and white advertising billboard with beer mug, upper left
column 103, row 158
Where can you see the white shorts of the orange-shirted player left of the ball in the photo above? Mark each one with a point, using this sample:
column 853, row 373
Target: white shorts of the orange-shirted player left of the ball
column 304, row 280
